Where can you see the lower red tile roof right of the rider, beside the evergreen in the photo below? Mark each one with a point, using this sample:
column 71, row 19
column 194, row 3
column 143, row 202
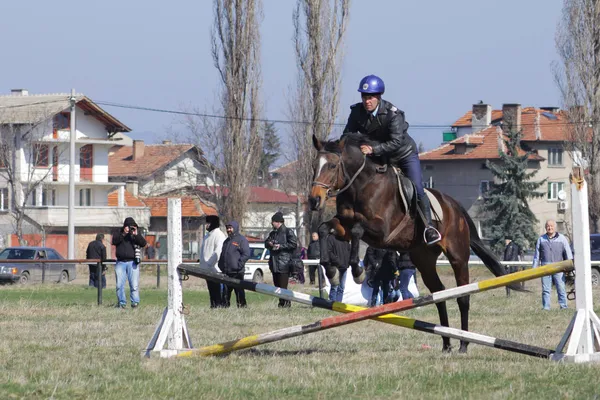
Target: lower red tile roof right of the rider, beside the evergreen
column 483, row 145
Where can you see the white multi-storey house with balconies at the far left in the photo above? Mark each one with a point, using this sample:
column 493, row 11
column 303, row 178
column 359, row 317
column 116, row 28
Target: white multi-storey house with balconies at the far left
column 34, row 172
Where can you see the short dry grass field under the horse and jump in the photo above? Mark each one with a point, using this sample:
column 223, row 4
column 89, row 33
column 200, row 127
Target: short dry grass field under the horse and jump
column 55, row 342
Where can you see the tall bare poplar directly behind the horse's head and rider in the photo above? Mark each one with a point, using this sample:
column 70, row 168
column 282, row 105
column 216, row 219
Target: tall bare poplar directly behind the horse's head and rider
column 319, row 29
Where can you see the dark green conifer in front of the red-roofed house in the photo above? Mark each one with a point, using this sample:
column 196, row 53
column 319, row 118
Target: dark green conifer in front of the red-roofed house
column 506, row 204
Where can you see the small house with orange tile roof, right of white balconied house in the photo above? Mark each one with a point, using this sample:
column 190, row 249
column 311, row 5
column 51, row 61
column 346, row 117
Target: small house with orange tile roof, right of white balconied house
column 154, row 170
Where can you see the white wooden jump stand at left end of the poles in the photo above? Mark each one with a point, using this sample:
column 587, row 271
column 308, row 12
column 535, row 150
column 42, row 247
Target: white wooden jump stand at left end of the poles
column 172, row 329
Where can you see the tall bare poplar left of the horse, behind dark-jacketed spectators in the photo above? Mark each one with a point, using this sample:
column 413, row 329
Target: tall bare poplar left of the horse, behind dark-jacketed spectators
column 236, row 55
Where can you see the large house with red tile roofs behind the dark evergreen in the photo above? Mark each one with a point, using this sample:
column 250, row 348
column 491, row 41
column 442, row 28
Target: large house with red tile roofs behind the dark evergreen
column 458, row 167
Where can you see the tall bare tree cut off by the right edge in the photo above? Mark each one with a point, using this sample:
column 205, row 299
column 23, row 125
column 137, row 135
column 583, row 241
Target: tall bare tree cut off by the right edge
column 578, row 77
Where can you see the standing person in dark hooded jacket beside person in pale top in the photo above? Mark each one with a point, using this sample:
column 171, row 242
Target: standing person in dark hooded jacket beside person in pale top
column 232, row 262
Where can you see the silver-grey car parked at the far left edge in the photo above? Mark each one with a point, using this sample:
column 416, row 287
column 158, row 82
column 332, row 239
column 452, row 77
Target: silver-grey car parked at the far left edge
column 37, row 270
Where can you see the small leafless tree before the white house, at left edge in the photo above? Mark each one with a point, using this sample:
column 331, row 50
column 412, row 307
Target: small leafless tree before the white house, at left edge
column 26, row 163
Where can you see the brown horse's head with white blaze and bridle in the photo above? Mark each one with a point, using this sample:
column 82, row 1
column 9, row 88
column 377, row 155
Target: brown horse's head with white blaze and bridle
column 328, row 176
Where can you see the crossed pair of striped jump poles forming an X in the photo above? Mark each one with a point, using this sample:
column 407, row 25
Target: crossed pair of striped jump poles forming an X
column 381, row 313
